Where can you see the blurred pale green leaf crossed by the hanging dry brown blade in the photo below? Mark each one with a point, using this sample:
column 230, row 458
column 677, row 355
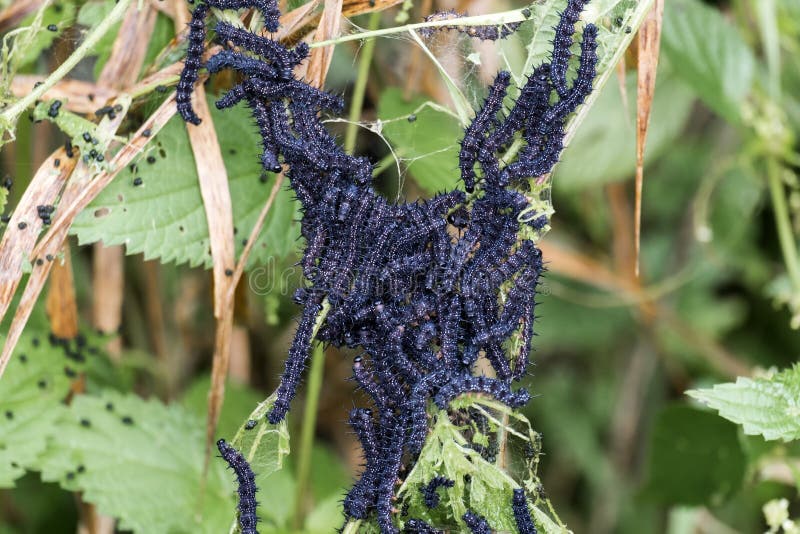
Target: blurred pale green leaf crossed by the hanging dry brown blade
column 603, row 149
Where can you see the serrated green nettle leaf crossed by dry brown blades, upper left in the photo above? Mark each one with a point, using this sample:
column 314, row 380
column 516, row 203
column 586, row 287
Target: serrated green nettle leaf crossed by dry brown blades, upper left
column 164, row 217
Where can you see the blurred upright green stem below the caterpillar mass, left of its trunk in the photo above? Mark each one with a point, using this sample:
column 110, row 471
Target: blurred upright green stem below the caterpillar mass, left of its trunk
column 307, row 432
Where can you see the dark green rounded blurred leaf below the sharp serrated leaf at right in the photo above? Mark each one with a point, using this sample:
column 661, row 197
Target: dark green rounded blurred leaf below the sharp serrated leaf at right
column 695, row 458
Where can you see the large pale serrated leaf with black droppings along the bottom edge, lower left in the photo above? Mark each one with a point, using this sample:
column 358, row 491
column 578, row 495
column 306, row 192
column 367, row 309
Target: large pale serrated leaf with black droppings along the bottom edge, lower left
column 141, row 462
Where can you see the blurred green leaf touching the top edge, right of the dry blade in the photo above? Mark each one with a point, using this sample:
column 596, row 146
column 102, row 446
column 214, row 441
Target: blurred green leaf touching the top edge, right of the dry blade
column 709, row 54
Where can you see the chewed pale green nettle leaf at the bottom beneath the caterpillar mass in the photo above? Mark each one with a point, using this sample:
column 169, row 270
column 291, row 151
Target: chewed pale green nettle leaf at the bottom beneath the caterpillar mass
column 479, row 485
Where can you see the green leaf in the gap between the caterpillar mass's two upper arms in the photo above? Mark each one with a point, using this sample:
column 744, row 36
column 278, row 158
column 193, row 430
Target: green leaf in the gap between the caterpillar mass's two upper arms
column 428, row 144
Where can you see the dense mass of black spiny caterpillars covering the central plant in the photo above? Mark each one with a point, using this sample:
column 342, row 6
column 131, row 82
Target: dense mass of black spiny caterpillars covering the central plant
column 422, row 288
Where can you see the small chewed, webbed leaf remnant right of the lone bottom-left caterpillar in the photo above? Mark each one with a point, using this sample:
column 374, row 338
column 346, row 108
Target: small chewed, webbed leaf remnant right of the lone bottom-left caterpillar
column 265, row 446
